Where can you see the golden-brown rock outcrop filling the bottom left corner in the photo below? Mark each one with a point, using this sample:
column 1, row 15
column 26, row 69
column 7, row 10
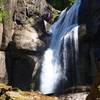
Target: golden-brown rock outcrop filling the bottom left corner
column 9, row 93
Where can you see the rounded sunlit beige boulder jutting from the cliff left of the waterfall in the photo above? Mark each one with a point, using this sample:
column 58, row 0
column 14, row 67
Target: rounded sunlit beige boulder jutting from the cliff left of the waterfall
column 27, row 39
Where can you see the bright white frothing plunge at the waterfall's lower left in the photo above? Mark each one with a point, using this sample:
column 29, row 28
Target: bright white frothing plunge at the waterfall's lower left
column 50, row 74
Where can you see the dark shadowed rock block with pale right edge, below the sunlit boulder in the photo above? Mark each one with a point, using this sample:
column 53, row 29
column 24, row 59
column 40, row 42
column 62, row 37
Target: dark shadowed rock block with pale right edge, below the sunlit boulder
column 23, row 71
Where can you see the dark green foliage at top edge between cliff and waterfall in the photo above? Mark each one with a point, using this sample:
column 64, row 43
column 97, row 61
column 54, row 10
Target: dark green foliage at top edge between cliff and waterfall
column 60, row 4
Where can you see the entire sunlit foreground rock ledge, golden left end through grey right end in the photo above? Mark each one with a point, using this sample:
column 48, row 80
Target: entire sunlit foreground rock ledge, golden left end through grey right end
column 9, row 93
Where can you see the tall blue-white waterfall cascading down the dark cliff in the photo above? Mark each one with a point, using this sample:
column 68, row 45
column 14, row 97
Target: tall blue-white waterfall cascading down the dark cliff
column 57, row 57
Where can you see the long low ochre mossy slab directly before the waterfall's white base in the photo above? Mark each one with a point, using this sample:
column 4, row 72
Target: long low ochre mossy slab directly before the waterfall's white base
column 21, row 95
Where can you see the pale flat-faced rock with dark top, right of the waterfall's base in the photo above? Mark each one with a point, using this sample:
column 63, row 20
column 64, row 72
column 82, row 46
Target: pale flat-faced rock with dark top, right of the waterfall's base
column 75, row 93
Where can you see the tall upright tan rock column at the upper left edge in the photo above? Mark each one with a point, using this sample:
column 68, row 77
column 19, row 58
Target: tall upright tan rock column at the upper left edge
column 8, row 24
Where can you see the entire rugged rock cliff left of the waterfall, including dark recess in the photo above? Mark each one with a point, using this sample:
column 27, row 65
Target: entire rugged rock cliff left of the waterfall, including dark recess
column 23, row 39
